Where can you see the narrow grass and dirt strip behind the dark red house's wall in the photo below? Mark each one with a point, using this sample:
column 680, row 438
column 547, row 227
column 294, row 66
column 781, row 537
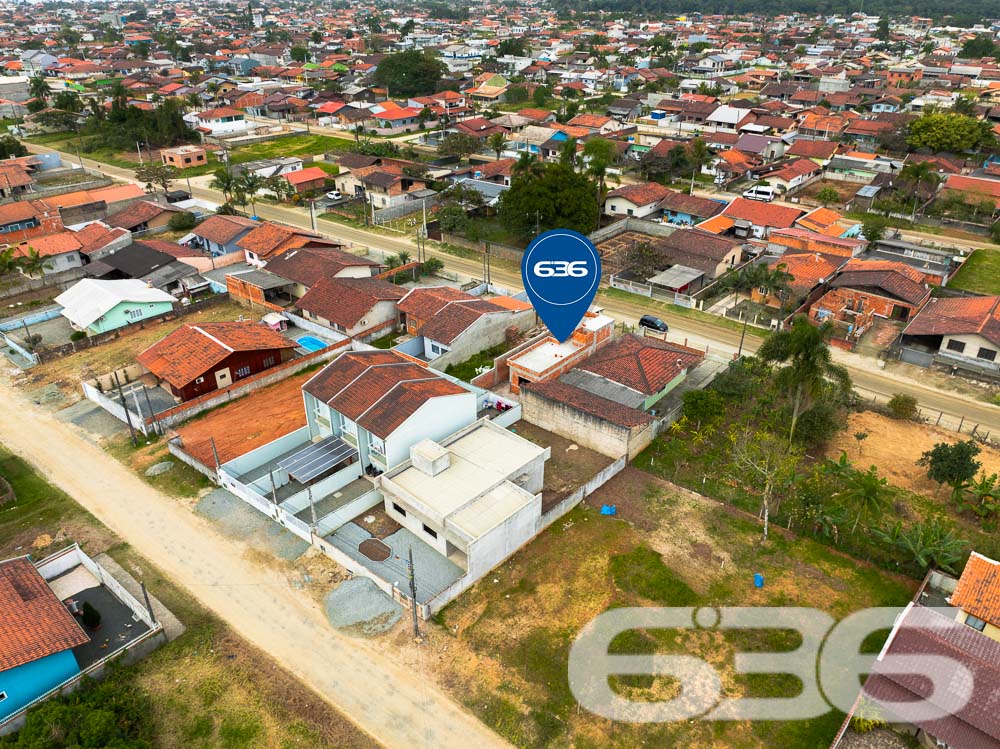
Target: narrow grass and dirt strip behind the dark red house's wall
column 65, row 374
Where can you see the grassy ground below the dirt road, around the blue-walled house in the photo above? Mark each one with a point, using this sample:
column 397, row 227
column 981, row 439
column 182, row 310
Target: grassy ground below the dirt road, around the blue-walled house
column 208, row 688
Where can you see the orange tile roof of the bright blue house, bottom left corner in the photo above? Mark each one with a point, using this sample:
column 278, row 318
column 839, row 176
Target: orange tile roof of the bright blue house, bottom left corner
column 34, row 623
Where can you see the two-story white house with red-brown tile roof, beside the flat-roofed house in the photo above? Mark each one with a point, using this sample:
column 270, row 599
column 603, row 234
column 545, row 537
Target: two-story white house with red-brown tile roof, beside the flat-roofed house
column 382, row 403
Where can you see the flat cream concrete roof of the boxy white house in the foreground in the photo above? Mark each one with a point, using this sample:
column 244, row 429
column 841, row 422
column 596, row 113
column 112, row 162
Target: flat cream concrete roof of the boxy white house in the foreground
column 474, row 493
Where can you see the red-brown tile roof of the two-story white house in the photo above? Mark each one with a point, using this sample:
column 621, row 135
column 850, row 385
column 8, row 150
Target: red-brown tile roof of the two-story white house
column 378, row 389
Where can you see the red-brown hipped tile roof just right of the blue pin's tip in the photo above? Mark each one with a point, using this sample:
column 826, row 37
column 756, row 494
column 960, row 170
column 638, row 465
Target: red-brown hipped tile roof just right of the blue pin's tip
column 646, row 365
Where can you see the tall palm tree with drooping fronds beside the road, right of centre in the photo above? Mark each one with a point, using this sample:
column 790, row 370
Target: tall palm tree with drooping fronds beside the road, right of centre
column 804, row 351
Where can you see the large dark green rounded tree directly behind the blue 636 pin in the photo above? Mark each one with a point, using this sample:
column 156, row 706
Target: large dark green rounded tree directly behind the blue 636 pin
column 550, row 196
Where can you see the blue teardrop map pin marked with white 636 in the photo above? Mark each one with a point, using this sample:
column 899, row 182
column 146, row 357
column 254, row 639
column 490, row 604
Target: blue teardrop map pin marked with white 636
column 561, row 270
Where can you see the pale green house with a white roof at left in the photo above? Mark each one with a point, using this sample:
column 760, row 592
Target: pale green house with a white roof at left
column 97, row 306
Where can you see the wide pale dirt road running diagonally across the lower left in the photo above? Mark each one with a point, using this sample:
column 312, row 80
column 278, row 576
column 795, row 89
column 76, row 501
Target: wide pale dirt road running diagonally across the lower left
column 399, row 707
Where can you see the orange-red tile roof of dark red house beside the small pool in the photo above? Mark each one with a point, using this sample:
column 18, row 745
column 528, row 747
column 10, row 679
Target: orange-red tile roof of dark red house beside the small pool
column 192, row 350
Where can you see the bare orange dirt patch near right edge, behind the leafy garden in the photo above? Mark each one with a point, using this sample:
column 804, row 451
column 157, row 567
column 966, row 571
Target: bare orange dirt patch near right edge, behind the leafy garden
column 895, row 446
